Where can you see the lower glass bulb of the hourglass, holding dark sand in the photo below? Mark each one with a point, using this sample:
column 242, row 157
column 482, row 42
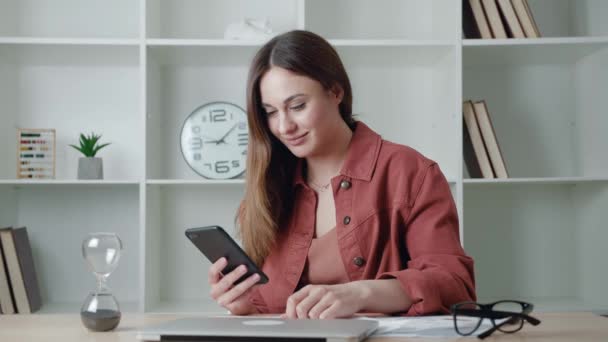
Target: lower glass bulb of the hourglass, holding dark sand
column 100, row 312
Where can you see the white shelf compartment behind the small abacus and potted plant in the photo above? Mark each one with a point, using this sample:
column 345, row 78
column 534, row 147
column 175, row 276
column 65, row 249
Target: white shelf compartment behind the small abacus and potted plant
column 73, row 89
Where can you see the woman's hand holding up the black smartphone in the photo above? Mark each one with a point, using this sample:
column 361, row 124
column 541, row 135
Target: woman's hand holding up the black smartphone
column 235, row 298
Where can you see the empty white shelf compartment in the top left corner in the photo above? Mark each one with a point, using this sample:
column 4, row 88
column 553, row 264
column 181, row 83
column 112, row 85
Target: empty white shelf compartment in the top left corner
column 70, row 18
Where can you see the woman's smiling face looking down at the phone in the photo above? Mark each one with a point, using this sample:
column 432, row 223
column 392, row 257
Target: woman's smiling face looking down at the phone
column 300, row 112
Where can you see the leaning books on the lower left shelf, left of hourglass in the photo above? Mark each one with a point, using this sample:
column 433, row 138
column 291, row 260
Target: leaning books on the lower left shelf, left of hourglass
column 19, row 291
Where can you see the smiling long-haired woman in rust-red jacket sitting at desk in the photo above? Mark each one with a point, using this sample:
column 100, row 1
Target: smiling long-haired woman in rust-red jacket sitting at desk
column 341, row 220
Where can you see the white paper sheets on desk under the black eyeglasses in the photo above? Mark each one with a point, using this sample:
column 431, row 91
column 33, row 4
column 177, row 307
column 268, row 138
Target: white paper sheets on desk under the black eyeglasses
column 422, row 326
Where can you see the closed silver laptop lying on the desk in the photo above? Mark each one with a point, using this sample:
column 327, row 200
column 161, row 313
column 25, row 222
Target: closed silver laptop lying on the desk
column 258, row 329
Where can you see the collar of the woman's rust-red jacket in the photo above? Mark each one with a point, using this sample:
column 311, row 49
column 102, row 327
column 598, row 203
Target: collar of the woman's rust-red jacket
column 361, row 156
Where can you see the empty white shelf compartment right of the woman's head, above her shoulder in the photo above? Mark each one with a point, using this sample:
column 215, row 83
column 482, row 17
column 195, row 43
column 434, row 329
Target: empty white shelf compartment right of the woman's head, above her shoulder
column 395, row 90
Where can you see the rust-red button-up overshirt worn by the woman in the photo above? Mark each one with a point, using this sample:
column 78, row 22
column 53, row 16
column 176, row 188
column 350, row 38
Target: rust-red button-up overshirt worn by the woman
column 395, row 217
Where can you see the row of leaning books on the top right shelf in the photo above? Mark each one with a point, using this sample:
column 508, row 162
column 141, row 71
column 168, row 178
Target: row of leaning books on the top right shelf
column 498, row 19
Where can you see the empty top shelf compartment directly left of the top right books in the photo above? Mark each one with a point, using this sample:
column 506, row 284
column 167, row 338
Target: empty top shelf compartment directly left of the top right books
column 394, row 19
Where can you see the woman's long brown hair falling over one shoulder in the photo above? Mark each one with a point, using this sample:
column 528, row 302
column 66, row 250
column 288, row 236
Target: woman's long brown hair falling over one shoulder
column 270, row 165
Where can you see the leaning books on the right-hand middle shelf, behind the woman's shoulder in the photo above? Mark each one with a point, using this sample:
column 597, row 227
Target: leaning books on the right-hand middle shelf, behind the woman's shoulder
column 482, row 155
